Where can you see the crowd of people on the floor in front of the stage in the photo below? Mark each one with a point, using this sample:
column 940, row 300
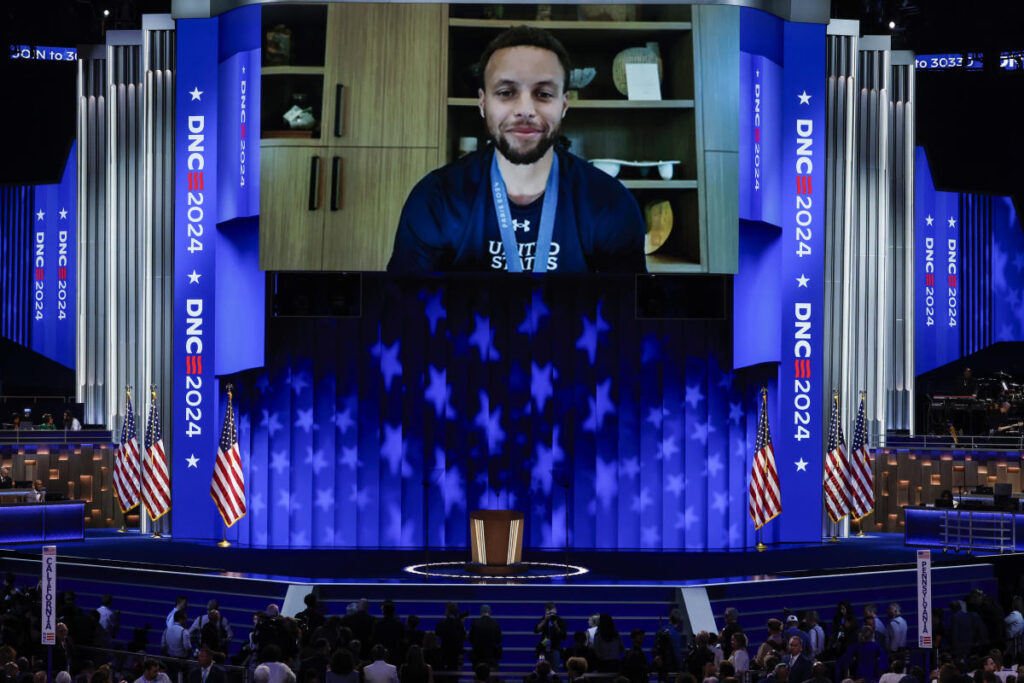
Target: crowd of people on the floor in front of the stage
column 974, row 641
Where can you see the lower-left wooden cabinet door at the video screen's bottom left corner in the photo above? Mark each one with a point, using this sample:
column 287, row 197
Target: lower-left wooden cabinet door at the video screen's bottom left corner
column 291, row 234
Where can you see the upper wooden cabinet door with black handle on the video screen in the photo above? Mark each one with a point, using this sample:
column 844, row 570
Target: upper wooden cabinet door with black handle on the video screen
column 388, row 60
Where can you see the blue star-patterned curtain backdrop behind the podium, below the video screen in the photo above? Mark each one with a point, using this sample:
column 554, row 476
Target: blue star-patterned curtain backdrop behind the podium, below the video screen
column 450, row 397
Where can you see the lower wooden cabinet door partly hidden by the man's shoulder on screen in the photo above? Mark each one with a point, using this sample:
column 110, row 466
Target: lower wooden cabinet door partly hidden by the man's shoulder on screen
column 367, row 190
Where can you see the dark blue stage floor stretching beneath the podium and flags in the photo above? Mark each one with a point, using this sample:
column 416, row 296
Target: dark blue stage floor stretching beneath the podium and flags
column 874, row 552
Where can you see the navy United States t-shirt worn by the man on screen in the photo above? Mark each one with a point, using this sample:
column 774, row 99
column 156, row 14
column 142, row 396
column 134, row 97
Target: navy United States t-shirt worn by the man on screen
column 449, row 223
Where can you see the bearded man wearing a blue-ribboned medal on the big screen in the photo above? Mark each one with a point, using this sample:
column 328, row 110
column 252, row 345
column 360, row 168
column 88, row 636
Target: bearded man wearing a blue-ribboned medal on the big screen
column 523, row 204
